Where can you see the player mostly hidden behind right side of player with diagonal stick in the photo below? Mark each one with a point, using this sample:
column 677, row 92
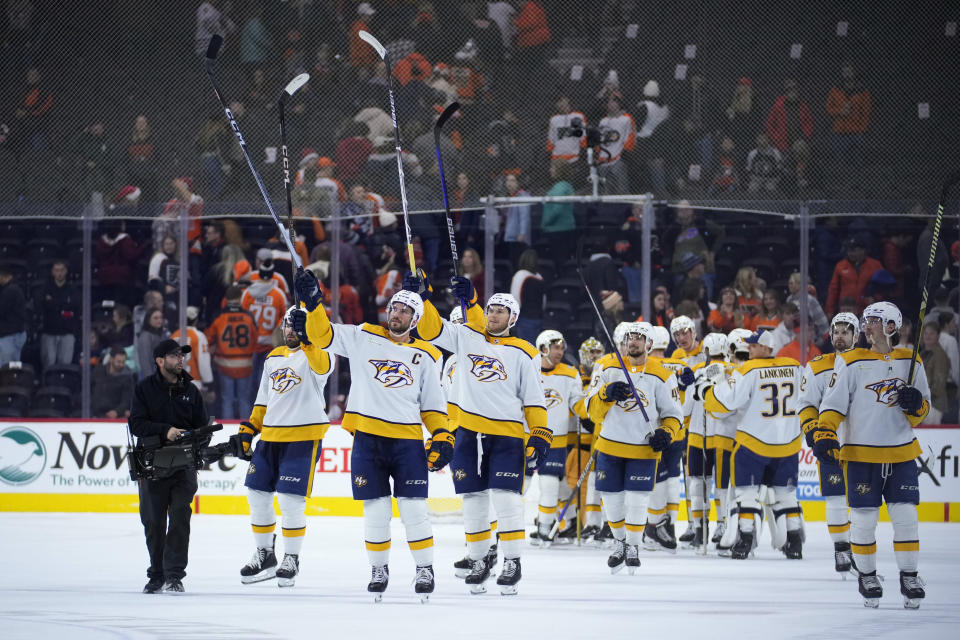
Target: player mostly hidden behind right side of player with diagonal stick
column 659, row 533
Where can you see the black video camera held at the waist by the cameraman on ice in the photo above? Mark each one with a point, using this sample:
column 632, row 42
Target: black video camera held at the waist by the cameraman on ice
column 153, row 459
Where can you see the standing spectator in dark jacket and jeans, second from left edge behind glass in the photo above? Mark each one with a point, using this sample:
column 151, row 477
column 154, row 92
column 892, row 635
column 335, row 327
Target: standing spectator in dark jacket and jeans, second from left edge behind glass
column 59, row 305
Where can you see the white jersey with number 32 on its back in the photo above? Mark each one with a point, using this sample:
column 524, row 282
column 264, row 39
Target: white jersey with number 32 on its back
column 766, row 388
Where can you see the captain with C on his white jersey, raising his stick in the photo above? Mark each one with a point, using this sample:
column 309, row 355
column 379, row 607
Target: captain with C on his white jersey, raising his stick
column 394, row 392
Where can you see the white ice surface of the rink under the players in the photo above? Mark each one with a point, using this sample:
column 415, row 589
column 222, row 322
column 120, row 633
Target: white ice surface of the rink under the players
column 79, row 576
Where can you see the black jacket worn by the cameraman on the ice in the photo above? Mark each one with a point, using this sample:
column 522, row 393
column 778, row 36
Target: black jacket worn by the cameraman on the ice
column 158, row 405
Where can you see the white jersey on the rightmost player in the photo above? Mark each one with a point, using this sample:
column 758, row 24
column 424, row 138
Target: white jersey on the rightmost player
column 859, row 404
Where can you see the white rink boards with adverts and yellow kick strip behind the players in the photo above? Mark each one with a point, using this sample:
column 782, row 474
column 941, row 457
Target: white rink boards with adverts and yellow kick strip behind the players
column 81, row 466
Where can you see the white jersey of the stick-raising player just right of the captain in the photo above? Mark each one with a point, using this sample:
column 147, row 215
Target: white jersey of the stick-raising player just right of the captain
column 498, row 387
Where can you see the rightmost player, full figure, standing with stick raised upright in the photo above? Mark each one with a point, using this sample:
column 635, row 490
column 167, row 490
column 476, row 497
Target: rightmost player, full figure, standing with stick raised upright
column 869, row 398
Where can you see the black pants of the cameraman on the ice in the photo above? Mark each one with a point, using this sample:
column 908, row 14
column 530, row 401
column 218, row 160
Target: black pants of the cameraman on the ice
column 167, row 545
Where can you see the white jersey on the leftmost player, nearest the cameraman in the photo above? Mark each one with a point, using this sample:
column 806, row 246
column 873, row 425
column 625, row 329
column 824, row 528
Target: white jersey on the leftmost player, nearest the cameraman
column 290, row 405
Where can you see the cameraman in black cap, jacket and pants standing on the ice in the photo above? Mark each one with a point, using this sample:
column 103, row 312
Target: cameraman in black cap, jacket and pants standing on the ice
column 164, row 406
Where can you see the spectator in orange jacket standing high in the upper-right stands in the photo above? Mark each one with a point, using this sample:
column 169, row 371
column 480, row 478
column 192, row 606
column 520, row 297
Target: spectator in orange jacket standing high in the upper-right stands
column 848, row 106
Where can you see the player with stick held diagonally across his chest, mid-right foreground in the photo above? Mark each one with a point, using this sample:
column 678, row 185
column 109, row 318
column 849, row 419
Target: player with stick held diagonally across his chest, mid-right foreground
column 628, row 445
